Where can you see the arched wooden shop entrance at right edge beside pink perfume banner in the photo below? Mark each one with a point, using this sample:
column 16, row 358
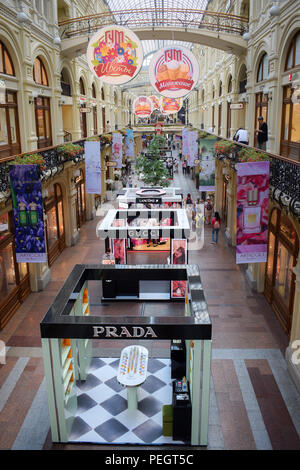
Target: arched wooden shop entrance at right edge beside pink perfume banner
column 283, row 249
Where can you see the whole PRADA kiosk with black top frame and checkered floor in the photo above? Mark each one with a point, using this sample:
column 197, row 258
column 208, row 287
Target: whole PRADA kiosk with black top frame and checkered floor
column 89, row 397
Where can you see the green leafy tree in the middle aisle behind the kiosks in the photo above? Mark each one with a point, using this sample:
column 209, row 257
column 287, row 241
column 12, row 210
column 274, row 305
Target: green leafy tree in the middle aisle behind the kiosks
column 152, row 166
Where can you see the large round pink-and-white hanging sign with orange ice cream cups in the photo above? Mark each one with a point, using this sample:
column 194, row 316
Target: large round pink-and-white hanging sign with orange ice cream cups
column 174, row 71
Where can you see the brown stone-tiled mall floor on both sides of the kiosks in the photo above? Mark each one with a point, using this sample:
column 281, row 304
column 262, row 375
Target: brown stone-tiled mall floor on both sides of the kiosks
column 254, row 403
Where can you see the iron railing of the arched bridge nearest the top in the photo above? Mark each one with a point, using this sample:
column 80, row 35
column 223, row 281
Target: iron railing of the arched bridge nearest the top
column 159, row 17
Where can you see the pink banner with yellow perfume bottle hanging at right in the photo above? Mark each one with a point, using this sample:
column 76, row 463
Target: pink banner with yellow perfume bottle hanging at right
column 252, row 212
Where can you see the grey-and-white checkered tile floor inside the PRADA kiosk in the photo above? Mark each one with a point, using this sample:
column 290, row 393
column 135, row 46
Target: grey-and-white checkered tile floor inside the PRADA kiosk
column 102, row 414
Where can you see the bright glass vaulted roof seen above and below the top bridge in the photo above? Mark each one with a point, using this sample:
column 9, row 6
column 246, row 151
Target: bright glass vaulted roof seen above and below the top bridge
column 156, row 12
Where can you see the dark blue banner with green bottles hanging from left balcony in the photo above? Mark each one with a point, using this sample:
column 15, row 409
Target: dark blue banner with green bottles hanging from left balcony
column 26, row 190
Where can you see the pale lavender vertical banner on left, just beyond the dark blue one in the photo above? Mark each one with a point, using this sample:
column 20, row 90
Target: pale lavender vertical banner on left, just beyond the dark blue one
column 92, row 167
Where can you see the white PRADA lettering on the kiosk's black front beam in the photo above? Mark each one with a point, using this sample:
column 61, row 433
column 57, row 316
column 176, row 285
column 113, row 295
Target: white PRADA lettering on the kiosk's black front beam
column 123, row 332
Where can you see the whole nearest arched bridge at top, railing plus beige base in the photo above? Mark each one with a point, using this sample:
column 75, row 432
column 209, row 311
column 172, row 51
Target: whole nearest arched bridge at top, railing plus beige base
column 219, row 30
